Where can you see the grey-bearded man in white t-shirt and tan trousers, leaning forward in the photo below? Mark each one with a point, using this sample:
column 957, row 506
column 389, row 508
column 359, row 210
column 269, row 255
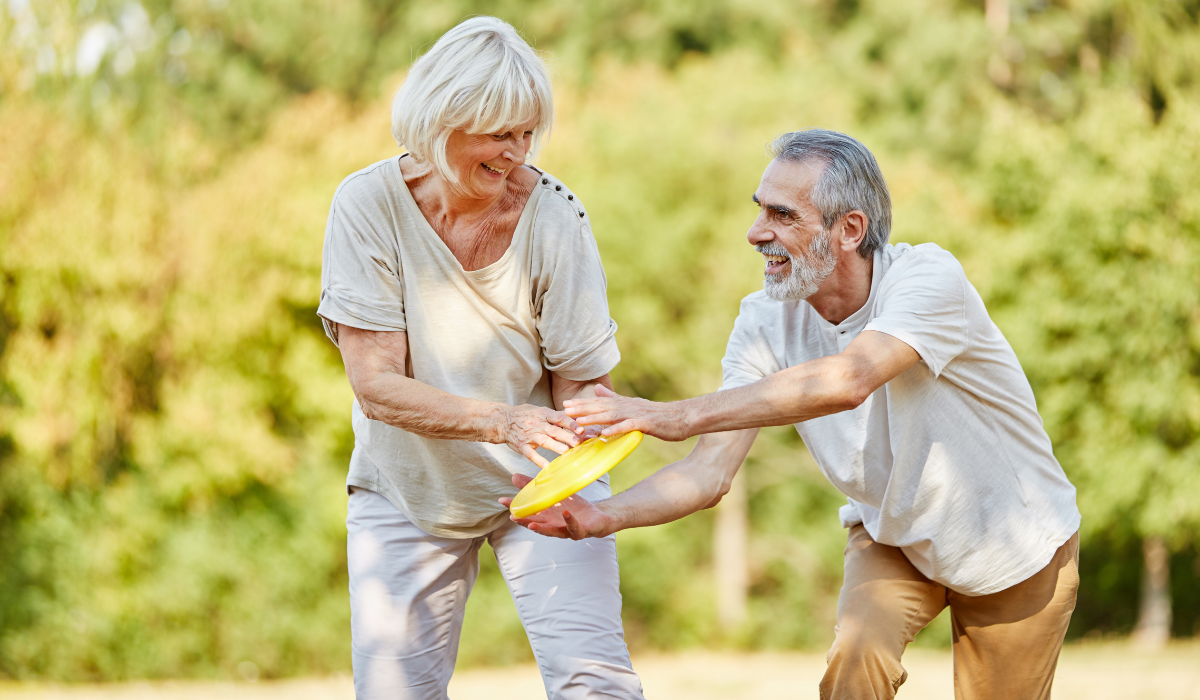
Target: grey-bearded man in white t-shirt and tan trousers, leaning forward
column 911, row 403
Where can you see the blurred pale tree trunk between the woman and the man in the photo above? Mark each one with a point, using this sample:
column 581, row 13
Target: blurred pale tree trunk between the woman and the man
column 730, row 560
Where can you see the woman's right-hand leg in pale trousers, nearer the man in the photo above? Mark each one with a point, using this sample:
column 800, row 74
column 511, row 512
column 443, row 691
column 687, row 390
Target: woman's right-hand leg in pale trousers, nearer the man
column 568, row 595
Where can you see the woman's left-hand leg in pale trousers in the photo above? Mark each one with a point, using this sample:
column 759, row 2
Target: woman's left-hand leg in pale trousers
column 409, row 593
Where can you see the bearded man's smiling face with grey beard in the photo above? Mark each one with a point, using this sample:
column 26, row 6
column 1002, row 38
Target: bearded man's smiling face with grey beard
column 796, row 248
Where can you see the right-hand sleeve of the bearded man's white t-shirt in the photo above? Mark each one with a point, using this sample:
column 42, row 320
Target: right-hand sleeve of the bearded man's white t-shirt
column 923, row 304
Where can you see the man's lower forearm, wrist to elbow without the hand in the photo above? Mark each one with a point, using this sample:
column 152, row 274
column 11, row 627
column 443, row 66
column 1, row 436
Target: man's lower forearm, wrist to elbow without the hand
column 683, row 488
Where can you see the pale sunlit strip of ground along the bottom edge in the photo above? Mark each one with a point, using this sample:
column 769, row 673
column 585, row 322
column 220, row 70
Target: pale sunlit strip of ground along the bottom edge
column 1094, row 672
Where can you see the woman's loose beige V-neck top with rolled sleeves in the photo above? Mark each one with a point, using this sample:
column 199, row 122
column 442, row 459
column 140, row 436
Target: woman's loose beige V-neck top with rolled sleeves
column 491, row 334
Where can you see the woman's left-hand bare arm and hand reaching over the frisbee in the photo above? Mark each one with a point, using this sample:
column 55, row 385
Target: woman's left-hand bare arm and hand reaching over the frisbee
column 375, row 364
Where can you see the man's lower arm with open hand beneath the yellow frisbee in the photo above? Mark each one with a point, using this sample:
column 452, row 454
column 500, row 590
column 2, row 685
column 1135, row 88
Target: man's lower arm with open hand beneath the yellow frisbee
column 681, row 489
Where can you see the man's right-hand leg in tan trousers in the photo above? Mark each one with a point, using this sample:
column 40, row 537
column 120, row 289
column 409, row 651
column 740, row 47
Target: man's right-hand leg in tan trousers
column 1006, row 645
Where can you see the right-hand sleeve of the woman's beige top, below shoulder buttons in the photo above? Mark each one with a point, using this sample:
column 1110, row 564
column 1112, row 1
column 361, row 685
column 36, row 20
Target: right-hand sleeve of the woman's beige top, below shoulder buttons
column 572, row 294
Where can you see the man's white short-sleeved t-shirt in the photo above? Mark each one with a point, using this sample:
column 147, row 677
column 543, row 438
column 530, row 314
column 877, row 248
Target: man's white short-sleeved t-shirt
column 950, row 460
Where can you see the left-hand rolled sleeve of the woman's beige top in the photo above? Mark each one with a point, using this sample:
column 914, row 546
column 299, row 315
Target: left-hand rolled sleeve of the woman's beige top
column 362, row 282
